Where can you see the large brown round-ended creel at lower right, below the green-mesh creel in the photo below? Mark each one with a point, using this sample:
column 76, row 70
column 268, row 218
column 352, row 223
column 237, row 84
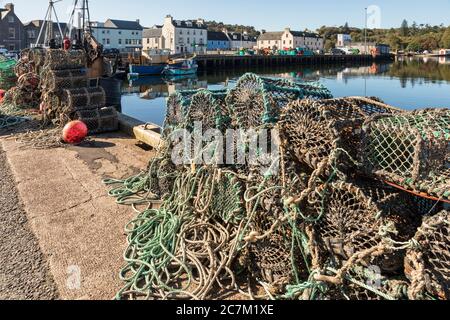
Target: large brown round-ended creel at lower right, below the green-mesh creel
column 358, row 224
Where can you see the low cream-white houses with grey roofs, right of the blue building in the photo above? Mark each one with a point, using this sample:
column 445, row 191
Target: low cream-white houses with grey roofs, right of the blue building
column 288, row 39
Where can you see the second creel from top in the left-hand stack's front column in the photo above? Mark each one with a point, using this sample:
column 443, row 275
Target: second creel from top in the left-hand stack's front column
column 55, row 80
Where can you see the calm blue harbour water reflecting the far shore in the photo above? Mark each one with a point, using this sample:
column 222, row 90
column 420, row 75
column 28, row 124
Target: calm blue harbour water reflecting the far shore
column 408, row 83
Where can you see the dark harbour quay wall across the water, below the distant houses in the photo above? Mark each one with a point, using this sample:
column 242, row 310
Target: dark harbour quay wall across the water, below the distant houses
column 232, row 61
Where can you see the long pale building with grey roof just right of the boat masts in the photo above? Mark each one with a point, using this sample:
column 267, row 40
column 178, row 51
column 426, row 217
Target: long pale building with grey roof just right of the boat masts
column 119, row 34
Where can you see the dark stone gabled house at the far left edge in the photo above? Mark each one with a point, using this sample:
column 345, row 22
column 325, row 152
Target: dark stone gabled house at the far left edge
column 12, row 34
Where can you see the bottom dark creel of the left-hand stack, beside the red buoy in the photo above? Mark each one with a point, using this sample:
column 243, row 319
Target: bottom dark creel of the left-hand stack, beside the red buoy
column 99, row 120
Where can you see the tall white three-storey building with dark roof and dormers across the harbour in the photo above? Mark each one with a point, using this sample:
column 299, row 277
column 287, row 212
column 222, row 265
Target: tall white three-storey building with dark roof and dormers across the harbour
column 183, row 36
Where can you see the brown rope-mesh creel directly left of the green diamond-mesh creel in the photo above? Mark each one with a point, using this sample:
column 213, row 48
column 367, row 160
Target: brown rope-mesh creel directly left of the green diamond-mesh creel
column 320, row 131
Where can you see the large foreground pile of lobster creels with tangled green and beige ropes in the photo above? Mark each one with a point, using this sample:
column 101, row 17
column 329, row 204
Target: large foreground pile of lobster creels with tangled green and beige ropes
column 274, row 189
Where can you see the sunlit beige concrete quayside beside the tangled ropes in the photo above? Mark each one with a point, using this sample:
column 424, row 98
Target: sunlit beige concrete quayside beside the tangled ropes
column 78, row 228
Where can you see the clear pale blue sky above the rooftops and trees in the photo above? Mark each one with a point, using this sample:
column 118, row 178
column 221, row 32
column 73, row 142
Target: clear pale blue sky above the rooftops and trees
column 263, row 14
